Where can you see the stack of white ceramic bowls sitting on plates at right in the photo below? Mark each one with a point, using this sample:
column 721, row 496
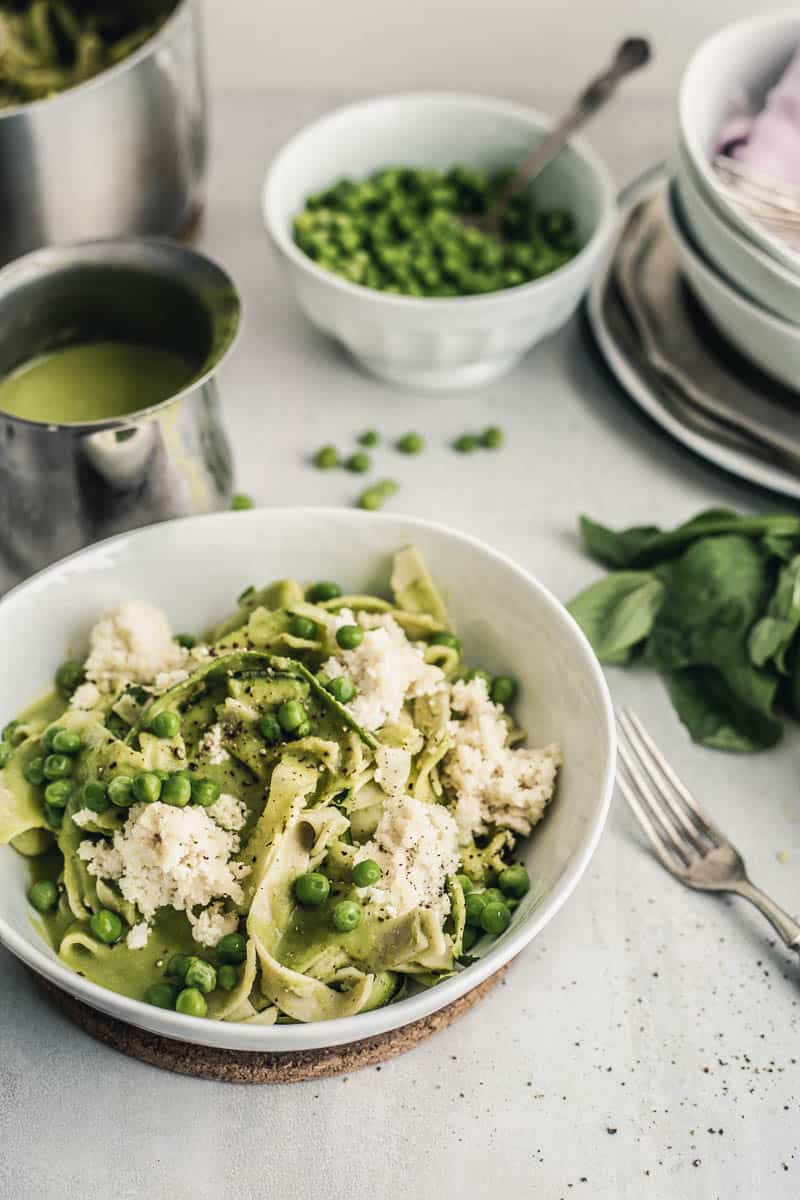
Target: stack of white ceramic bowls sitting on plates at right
column 747, row 279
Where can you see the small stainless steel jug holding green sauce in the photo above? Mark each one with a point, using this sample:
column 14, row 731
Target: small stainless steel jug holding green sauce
column 63, row 487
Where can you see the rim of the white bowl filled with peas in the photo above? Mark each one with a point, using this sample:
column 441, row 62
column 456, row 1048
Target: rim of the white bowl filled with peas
column 280, row 235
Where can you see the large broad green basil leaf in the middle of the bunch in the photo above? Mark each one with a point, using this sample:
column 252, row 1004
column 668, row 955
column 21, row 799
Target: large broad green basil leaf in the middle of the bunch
column 714, row 595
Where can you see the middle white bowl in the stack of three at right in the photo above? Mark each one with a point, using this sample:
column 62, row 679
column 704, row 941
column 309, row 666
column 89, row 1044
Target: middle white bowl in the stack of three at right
column 744, row 265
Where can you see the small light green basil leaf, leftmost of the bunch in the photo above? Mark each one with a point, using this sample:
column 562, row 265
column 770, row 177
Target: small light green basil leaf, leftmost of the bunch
column 618, row 613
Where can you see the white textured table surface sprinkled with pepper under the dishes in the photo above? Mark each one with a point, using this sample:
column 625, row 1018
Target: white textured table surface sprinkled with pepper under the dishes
column 646, row 1047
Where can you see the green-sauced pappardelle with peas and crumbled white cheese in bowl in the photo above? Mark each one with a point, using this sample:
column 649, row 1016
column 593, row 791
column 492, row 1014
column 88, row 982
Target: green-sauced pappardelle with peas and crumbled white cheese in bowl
column 302, row 817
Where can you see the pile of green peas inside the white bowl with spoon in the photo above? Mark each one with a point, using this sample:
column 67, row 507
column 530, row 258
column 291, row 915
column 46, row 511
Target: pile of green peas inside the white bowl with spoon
column 400, row 232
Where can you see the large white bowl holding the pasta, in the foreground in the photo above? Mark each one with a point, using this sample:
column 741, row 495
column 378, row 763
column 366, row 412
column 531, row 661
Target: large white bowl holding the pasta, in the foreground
column 195, row 568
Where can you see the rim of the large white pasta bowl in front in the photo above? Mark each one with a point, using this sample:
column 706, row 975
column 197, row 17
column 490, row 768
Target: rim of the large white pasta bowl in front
column 237, row 1036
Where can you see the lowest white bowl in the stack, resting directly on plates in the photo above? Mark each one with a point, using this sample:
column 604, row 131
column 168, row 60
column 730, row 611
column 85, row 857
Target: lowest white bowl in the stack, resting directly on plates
column 772, row 344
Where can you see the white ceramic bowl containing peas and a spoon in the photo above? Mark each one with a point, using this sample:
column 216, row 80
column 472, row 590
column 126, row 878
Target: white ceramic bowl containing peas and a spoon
column 436, row 344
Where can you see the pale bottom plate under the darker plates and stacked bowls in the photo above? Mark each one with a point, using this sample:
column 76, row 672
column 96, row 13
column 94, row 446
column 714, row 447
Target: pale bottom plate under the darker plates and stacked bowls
column 735, row 461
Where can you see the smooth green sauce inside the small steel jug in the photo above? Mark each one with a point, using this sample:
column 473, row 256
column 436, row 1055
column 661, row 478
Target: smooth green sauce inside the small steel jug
column 94, row 382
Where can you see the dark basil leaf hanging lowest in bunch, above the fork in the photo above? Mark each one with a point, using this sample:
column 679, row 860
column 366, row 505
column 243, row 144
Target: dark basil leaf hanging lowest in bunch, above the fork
column 717, row 717
